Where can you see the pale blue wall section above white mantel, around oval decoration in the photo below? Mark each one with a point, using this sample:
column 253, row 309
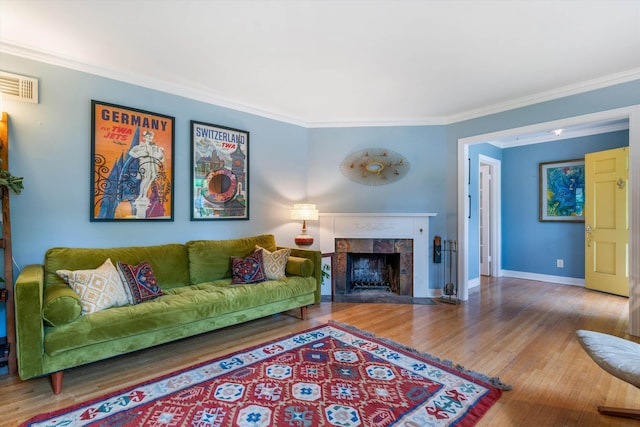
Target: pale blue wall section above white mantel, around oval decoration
column 421, row 190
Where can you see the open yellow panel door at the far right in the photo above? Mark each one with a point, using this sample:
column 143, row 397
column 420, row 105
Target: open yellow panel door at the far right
column 606, row 217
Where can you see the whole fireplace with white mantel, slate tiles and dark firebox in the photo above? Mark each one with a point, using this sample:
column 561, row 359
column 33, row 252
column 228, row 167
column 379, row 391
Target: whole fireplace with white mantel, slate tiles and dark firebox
column 395, row 243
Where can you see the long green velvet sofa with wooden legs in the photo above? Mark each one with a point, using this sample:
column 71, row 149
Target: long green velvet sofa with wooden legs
column 198, row 296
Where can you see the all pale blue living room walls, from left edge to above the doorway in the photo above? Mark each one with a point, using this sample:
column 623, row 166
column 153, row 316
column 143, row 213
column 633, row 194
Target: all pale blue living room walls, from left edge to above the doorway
column 50, row 147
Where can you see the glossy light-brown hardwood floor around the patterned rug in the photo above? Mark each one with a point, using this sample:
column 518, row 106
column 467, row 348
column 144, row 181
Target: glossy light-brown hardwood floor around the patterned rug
column 522, row 331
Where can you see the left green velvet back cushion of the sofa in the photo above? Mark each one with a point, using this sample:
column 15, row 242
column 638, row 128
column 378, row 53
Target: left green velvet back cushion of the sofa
column 169, row 261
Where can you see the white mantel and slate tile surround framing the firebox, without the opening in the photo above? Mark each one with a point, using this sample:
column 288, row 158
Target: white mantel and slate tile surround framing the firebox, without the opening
column 406, row 234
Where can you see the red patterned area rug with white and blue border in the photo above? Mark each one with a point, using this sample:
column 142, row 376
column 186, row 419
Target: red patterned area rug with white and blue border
column 331, row 375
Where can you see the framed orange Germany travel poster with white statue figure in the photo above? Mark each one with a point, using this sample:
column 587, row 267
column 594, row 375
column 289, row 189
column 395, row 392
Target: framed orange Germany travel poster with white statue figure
column 131, row 164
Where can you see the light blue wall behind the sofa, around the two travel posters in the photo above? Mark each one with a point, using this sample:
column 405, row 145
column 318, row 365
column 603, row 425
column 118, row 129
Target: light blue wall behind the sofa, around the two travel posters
column 50, row 145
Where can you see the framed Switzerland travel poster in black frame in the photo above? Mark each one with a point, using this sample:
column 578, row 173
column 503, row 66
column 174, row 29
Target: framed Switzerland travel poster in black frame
column 219, row 172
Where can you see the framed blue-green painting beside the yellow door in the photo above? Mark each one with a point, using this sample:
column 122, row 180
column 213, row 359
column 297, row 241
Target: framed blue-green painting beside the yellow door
column 562, row 191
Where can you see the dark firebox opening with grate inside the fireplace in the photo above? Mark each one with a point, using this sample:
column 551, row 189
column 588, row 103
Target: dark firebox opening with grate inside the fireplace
column 373, row 272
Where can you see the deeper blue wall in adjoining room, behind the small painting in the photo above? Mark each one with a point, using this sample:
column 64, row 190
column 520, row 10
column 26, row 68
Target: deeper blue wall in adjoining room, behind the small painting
column 528, row 244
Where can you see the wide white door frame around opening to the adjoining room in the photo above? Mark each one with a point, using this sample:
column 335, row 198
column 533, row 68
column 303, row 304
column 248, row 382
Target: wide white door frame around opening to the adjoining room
column 632, row 114
